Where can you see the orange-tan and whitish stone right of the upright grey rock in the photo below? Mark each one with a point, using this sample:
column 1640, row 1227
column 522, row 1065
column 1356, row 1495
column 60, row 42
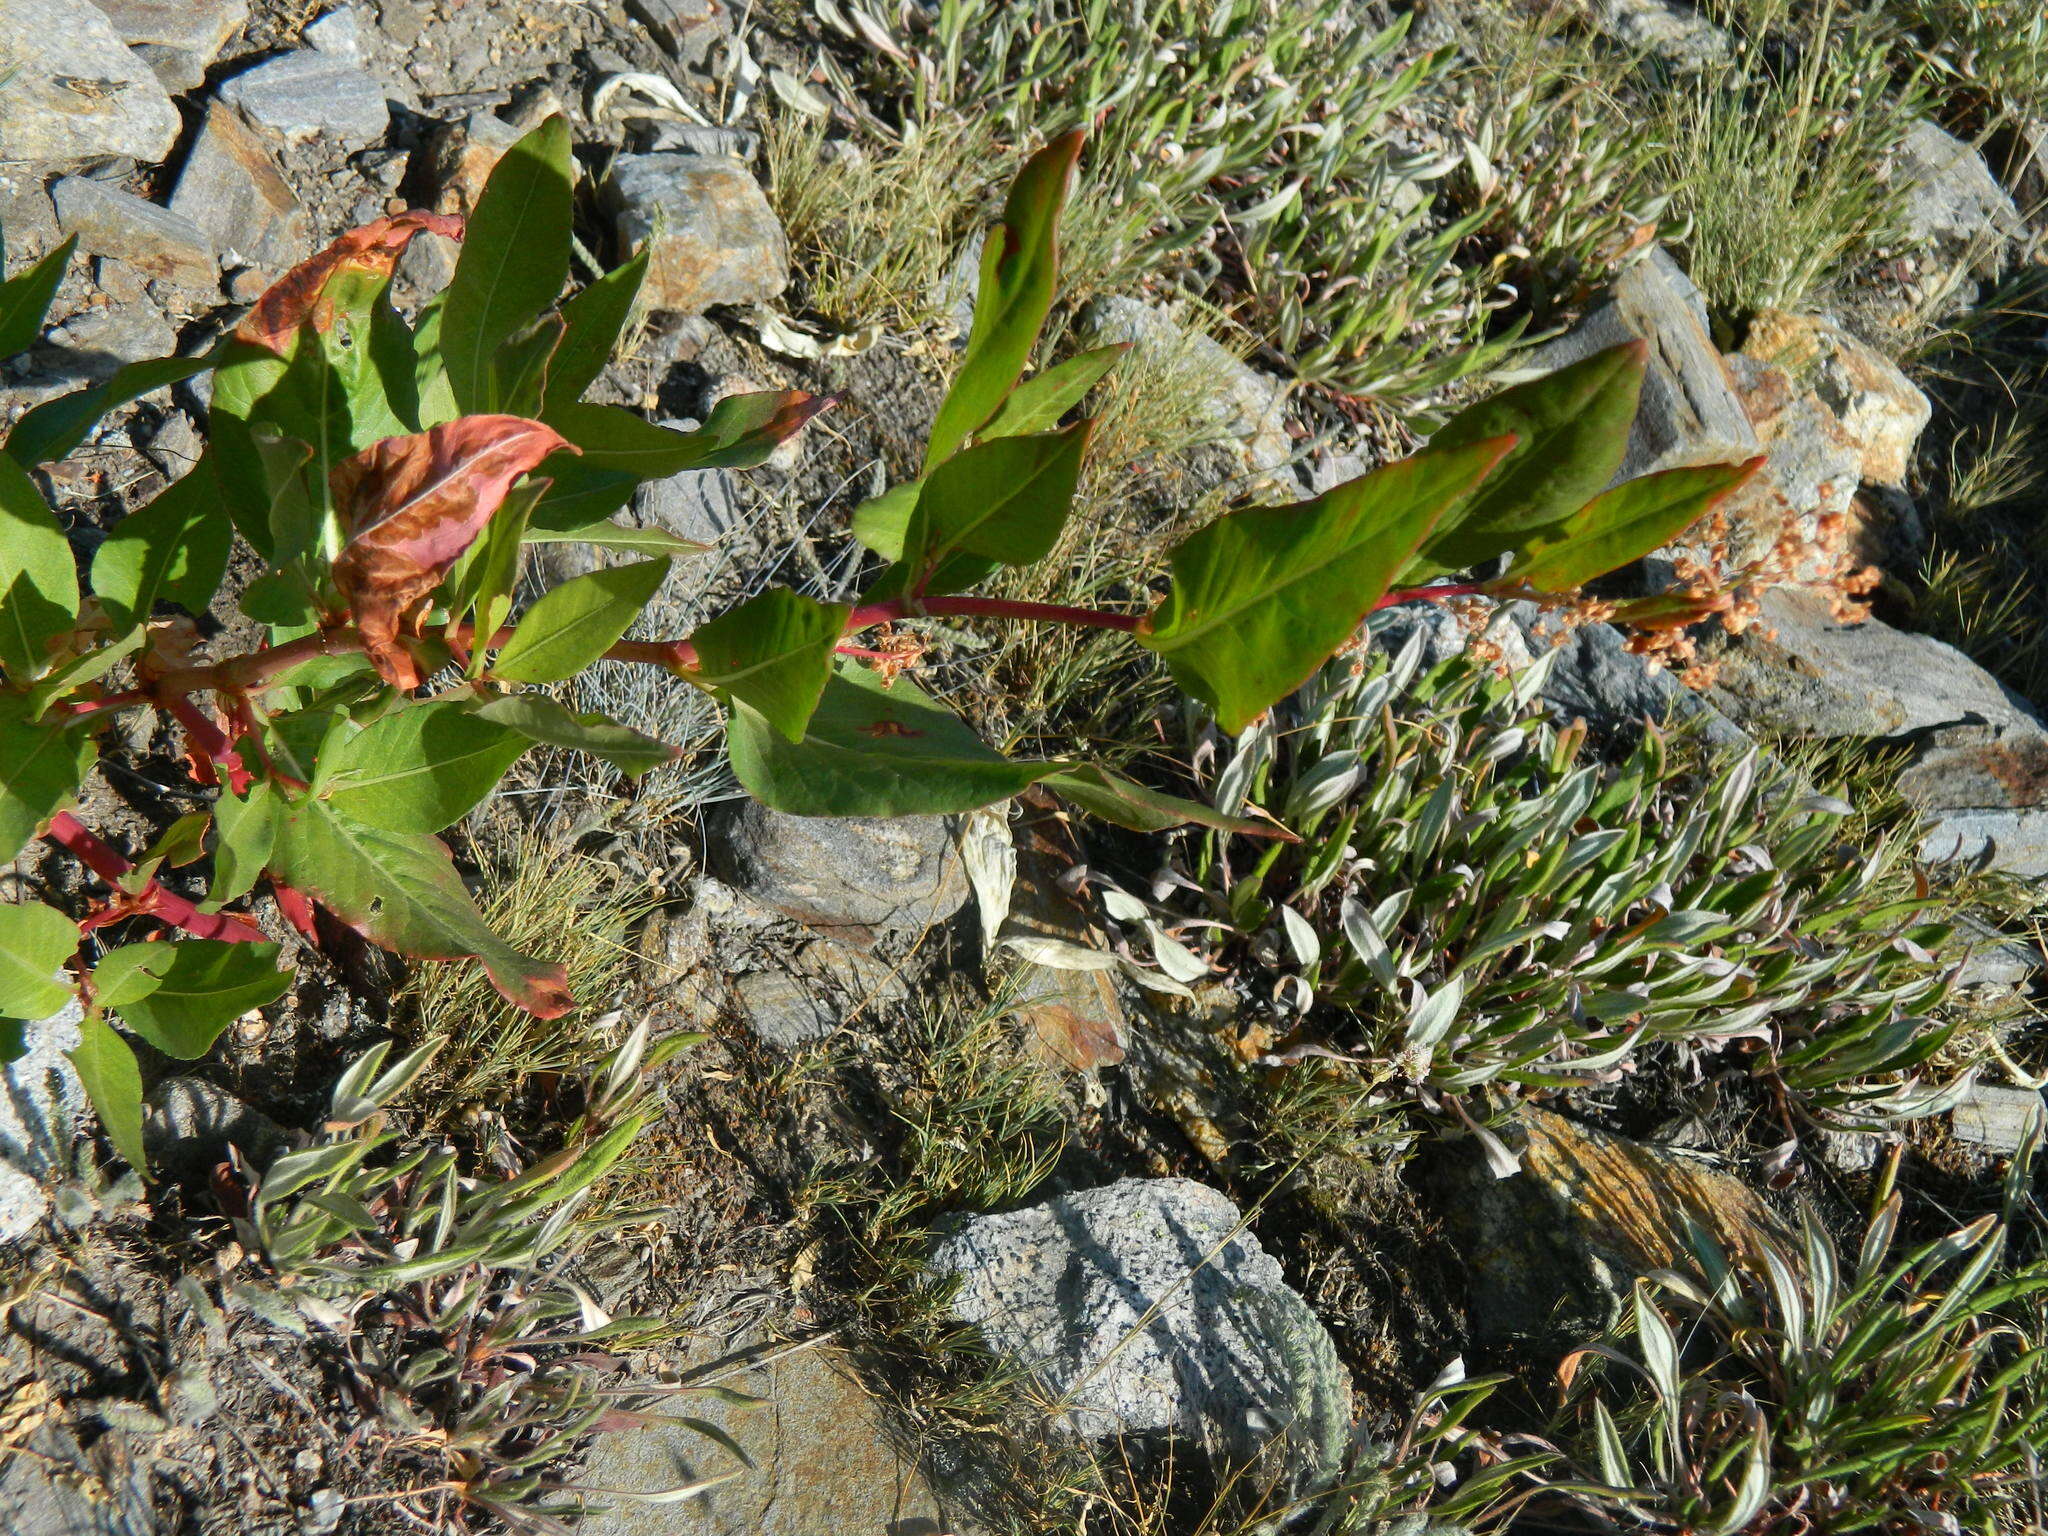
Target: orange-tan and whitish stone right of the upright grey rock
column 1877, row 407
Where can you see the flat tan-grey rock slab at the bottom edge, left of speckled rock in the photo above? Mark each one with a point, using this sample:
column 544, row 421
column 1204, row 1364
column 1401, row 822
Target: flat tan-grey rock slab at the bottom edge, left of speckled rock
column 824, row 1461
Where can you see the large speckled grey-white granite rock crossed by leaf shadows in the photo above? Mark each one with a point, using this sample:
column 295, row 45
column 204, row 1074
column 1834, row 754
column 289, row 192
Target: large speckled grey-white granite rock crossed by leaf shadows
column 1142, row 1308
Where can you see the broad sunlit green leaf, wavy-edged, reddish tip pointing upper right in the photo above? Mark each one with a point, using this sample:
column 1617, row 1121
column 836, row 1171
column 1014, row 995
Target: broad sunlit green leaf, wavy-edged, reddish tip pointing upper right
column 1263, row 599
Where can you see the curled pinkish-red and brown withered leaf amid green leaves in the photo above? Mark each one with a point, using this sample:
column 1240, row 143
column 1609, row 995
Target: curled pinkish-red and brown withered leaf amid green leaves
column 411, row 509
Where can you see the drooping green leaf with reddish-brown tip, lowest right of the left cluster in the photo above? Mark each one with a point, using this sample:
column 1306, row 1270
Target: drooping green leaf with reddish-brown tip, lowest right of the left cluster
column 402, row 892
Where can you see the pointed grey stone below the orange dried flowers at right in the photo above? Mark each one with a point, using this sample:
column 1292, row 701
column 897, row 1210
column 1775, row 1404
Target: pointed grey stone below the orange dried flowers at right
column 1801, row 671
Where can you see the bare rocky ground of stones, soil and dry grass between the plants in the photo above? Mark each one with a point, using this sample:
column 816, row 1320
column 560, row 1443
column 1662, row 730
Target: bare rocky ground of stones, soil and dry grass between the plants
column 953, row 1195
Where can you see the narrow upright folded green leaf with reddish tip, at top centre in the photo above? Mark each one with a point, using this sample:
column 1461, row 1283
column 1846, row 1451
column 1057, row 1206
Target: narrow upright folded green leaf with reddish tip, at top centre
column 1019, row 280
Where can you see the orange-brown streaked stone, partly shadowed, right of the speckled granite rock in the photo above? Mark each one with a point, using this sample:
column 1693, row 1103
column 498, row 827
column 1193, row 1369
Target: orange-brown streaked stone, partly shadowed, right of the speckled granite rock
column 1558, row 1246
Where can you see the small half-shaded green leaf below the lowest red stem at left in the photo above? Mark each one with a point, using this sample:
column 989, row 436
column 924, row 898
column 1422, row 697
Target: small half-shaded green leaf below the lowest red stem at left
column 179, row 996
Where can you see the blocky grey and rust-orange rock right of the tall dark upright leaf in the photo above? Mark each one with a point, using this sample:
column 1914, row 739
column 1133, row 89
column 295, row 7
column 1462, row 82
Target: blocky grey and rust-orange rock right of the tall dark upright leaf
column 712, row 232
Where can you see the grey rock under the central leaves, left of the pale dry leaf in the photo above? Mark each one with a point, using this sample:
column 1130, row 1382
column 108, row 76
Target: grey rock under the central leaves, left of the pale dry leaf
column 859, row 880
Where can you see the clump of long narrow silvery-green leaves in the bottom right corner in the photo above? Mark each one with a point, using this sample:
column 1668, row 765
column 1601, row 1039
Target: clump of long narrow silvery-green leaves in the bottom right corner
column 1891, row 1394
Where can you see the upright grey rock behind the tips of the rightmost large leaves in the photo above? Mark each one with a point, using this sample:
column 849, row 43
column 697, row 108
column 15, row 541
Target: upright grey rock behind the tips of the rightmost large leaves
column 1691, row 413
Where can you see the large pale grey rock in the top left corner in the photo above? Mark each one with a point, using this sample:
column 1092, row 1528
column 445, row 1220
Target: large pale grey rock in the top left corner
column 75, row 89
